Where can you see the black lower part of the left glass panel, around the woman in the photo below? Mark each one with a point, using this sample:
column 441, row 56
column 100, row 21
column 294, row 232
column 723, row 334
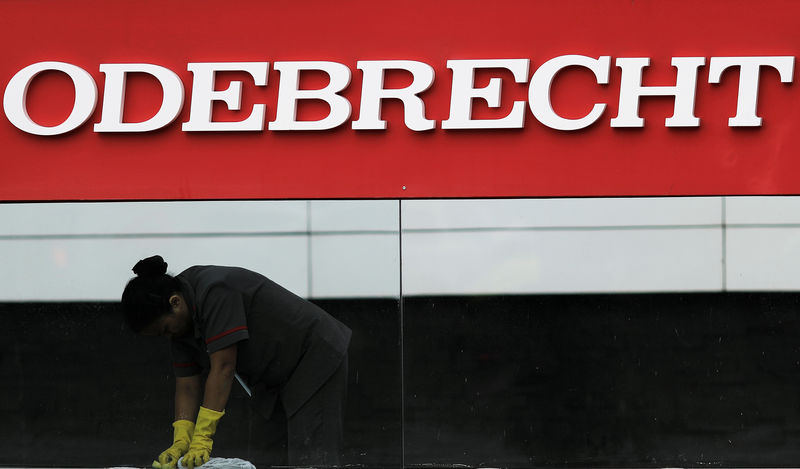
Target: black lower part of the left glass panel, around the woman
column 80, row 390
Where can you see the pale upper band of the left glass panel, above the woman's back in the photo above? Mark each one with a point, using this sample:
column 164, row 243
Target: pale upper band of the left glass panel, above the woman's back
column 85, row 251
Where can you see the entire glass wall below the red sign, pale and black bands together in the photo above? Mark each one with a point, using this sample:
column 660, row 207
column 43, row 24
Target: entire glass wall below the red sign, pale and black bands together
column 628, row 332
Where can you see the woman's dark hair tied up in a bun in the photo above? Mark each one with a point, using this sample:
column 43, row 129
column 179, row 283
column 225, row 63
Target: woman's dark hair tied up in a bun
column 146, row 296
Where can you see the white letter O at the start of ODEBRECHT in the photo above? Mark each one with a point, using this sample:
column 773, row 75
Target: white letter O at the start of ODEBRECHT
column 14, row 99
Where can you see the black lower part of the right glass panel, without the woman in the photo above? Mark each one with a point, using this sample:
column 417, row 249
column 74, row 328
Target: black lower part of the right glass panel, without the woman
column 623, row 380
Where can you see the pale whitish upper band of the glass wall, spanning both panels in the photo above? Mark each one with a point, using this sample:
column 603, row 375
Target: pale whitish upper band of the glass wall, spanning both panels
column 347, row 249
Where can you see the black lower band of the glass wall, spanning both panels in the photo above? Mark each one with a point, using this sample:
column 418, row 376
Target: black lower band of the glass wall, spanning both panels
column 623, row 380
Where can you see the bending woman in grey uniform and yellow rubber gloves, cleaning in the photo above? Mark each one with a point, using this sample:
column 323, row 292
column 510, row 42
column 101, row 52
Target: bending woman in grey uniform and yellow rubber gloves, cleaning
column 232, row 321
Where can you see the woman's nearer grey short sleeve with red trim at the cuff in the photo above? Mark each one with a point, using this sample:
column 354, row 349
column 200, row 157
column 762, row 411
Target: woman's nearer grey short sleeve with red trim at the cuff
column 225, row 319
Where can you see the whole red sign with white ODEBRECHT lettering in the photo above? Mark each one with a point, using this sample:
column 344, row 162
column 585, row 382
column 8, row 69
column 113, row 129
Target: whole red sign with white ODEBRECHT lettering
column 195, row 100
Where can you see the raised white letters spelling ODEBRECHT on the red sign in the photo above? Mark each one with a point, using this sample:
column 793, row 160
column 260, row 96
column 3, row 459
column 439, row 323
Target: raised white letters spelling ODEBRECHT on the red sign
column 463, row 93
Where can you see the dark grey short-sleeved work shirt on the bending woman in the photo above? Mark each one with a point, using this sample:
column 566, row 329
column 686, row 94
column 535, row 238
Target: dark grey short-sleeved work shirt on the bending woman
column 287, row 346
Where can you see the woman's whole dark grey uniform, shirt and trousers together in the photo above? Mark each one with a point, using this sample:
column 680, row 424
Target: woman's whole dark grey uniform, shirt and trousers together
column 288, row 349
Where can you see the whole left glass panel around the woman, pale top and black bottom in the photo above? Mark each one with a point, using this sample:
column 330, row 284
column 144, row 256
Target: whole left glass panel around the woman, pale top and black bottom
column 90, row 392
